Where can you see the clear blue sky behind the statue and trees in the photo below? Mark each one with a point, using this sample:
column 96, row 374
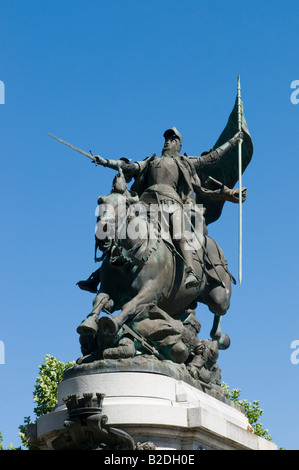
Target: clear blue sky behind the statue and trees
column 111, row 76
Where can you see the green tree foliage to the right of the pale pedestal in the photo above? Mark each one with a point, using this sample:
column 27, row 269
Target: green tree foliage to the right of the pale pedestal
column 252, row 411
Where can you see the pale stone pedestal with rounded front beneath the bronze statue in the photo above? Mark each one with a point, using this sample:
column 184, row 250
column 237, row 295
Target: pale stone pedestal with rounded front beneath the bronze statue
column 152, row 406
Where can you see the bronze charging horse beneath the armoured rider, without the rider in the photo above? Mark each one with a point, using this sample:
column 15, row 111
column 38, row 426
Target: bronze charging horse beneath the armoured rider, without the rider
column 139, row 269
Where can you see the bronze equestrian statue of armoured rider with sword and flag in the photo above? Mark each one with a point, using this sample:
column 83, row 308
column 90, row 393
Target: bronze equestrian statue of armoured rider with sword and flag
column 156, row 281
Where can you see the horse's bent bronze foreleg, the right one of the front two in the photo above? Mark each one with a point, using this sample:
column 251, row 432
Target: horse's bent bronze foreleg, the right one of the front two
column 146, row 295
